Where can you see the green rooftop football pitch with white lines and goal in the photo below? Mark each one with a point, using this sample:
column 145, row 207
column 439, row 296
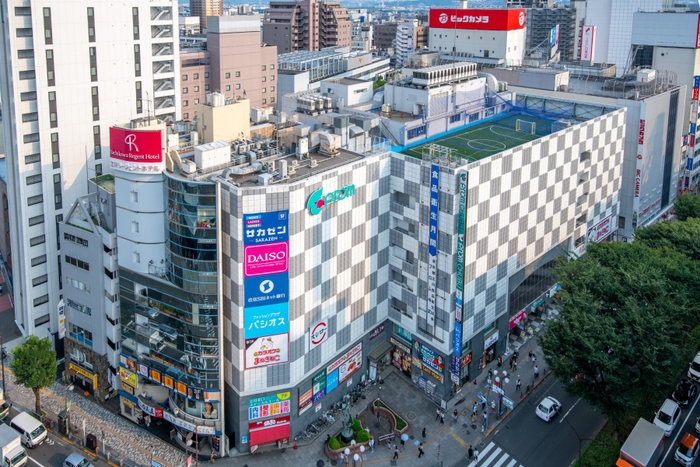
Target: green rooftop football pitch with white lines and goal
column 489, row 138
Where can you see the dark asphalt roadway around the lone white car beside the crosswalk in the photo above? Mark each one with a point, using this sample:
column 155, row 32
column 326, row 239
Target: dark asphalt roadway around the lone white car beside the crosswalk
column 530, row 440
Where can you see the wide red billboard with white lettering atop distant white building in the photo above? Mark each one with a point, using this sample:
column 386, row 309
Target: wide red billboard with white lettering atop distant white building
column 472, row 18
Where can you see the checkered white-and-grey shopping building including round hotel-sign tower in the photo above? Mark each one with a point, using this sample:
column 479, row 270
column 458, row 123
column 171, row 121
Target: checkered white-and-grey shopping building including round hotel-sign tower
column 258, row 288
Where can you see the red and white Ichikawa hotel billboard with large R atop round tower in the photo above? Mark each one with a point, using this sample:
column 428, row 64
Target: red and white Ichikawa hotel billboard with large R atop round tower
column 133, row 150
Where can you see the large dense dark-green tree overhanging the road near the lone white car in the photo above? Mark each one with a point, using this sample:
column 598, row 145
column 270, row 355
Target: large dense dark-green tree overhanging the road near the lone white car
column 619, row 338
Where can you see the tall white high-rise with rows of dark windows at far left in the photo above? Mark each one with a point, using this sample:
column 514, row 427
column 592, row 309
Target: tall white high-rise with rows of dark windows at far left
column 69, row 71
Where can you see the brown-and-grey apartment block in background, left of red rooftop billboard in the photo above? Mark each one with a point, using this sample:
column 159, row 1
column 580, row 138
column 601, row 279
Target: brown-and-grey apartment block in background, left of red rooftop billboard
column 306, row 25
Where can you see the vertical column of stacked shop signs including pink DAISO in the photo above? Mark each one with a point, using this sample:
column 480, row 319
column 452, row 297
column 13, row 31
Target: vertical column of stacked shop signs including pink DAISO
column 266, row 288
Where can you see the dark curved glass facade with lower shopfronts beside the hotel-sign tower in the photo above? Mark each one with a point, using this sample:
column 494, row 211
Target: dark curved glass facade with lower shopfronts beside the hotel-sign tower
column 170, row 315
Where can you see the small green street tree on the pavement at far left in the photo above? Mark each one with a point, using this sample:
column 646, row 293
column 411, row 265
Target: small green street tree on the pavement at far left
column 34, row 365
